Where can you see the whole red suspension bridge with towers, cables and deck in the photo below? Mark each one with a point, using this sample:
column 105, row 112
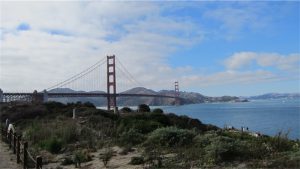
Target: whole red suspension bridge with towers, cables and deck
column 90, row 80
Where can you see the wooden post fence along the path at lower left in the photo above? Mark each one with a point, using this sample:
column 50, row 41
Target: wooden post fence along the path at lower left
column 20, row 148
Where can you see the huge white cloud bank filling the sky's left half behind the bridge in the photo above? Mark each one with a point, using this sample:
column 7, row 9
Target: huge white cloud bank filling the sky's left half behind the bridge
column 136, row 33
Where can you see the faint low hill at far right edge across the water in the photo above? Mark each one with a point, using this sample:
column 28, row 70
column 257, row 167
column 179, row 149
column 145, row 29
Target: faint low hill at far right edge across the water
column 275, row 96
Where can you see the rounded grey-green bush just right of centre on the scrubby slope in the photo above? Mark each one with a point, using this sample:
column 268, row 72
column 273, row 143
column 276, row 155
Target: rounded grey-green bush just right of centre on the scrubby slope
column 171, row 137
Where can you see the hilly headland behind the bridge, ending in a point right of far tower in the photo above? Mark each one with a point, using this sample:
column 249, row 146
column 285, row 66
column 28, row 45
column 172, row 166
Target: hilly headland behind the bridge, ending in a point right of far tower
column 186, row 98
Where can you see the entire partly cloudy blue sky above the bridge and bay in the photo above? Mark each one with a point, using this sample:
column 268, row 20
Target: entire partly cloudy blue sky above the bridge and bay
column 215, row 48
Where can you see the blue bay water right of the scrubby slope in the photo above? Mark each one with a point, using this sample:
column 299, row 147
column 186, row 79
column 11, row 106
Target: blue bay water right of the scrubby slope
column 264, row 116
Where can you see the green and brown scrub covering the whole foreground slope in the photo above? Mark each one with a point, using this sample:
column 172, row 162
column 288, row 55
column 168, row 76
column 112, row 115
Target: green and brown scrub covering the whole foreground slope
column 164, row 140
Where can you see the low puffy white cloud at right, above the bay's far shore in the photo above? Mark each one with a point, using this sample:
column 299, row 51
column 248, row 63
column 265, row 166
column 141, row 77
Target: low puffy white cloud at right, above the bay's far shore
column 238, row 70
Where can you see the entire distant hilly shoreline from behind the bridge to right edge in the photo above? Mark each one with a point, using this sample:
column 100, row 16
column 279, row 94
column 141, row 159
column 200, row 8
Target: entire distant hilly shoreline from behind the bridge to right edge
column 187, row 97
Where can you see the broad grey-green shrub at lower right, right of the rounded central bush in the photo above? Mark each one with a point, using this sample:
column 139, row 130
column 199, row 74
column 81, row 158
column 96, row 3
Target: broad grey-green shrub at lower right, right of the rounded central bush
column 217, row 148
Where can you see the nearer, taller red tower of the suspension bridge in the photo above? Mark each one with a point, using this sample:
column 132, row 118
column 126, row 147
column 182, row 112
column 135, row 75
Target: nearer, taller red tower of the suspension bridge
column 111, row 82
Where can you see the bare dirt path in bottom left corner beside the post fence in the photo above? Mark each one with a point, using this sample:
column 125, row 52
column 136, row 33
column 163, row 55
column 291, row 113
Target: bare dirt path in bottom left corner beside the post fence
column 7, row 158
